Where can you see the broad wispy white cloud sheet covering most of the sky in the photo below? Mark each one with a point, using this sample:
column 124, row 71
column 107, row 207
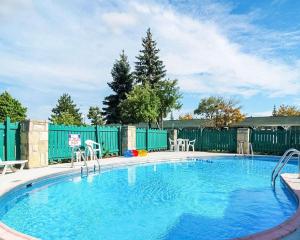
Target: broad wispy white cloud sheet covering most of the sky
column 54, row 47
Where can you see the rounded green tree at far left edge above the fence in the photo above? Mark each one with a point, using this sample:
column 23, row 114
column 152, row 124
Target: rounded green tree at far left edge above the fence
column 11, row 107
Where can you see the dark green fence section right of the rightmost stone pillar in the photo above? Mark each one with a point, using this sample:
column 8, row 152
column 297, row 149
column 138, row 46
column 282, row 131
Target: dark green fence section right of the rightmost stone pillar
column 275, row 141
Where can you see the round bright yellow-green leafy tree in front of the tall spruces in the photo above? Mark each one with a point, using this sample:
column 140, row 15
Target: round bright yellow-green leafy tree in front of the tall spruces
column 141, row 105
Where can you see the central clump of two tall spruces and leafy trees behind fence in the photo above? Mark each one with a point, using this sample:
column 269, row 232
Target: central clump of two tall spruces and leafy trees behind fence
column 151, row 99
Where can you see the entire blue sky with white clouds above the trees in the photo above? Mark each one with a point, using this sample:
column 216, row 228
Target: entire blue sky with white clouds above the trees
column 245, row 49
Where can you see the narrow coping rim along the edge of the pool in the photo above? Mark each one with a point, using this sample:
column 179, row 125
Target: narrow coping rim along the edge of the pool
column 280, row 231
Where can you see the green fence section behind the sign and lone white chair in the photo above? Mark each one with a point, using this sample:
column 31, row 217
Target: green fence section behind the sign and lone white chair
column 109, row 137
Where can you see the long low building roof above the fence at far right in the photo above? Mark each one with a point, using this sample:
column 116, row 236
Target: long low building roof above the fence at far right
column 269, row 122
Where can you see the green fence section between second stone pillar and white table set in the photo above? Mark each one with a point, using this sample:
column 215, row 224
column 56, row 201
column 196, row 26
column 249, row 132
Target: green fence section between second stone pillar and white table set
column 151, row 139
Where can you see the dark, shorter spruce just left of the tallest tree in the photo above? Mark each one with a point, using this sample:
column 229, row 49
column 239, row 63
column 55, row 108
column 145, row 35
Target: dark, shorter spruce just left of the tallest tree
column 121, row 84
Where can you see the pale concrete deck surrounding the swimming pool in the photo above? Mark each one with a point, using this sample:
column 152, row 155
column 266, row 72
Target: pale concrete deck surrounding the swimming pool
column 287, row 230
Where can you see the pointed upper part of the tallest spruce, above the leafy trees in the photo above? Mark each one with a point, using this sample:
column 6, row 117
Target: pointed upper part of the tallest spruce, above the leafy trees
column 148, row 67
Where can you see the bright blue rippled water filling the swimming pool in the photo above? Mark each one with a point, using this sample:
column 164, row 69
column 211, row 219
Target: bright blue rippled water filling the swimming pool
column 222, row 198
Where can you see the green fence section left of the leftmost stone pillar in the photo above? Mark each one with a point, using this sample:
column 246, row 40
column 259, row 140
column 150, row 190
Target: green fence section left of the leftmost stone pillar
column 9, row 140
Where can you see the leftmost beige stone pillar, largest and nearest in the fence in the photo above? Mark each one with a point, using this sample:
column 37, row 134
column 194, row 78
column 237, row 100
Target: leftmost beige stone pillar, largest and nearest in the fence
column 34, row 143
